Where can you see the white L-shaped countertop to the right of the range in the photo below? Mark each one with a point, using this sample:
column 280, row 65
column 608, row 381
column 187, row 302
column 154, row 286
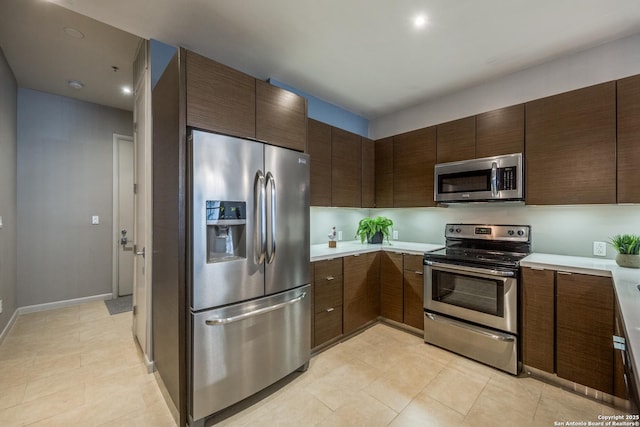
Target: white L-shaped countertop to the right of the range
column 625, row 281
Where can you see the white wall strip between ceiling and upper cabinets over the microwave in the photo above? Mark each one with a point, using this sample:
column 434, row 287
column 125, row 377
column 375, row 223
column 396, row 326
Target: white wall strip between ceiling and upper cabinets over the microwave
column 607, row 62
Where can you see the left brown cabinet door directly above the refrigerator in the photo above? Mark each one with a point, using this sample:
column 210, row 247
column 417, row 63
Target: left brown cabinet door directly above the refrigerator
column 219, row 98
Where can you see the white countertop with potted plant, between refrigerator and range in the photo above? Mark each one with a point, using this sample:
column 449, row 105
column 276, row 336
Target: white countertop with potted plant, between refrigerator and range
column 322, row 251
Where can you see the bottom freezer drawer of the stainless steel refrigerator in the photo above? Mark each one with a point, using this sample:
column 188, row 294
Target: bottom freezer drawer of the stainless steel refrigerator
column 240, row 349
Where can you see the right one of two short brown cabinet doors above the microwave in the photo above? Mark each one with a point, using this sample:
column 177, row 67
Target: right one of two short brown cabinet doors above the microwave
column 500, row 131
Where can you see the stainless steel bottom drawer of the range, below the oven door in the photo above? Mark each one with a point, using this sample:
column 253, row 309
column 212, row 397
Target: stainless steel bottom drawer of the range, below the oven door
column 497, row 349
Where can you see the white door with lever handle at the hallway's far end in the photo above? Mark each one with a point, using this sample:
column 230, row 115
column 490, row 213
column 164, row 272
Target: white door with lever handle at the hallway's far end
column 125, row 212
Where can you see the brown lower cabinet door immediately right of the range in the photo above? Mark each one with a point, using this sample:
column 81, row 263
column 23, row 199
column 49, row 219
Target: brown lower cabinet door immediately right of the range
column 538, row 321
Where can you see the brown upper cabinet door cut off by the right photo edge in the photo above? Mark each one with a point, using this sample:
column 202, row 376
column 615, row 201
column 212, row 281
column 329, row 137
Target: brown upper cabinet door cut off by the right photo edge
column 628, row 139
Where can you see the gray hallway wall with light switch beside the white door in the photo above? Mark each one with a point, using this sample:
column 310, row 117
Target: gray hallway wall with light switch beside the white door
column 65, row 161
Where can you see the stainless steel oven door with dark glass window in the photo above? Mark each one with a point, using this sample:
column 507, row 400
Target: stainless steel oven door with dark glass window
column 479, row 295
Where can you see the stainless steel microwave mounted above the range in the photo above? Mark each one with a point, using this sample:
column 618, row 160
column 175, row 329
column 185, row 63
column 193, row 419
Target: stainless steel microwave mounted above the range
column 487, row 179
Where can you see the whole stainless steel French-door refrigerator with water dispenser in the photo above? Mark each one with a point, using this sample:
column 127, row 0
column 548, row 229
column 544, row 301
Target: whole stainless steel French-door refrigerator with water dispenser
column 249, row 281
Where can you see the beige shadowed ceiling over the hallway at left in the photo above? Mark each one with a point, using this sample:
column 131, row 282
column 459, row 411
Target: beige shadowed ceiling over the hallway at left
column 43, row 57
